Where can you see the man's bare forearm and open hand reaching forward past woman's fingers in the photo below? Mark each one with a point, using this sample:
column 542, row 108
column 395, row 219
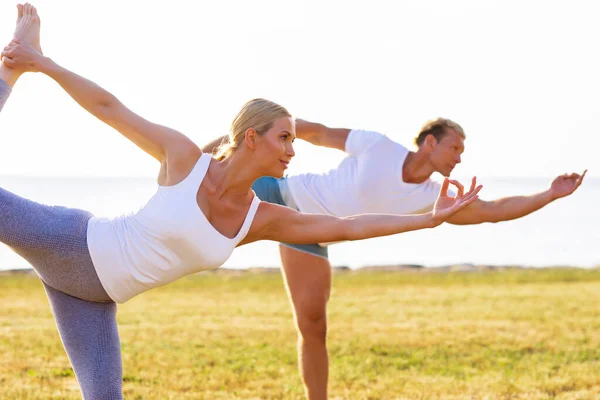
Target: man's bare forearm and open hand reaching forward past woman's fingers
column 509, row 208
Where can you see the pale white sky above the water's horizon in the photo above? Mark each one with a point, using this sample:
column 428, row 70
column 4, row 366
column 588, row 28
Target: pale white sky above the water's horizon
column 521, row 77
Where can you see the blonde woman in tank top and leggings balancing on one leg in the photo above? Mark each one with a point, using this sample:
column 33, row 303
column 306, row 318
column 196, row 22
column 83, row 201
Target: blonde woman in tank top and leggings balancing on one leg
column 202, row 210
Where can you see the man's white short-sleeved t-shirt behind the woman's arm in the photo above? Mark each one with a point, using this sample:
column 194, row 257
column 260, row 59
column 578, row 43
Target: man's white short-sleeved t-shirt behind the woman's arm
column 369, row 180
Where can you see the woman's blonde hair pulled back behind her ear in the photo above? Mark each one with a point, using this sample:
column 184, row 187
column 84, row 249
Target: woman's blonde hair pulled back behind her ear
column 259, row 114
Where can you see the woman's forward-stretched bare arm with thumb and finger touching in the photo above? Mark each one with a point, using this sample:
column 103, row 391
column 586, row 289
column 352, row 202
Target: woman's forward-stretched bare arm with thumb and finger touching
column 286, row 225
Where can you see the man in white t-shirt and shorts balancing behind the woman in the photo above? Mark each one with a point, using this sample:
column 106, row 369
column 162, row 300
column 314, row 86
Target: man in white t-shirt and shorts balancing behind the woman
column 378, row 176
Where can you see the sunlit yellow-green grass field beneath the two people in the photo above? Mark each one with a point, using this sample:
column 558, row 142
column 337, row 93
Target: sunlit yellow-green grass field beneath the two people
column 521, row 334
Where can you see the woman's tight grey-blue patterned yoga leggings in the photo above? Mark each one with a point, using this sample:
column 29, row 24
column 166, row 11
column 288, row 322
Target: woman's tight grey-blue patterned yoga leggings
column 54, row 241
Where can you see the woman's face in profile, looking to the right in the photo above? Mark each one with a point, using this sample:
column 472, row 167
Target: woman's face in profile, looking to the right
column 275, row 149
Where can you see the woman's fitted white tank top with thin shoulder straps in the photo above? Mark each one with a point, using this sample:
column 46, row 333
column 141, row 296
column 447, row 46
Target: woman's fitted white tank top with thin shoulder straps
column 168, row 238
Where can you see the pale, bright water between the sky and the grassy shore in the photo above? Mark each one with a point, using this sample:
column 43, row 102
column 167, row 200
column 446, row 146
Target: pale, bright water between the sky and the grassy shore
column 564, row 233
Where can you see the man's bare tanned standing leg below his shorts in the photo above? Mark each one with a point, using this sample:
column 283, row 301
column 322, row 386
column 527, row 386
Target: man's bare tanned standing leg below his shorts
column 308, row 283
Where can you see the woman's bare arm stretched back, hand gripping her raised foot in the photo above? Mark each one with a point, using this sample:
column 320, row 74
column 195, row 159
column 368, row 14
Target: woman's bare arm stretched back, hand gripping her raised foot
column 154, row 139
